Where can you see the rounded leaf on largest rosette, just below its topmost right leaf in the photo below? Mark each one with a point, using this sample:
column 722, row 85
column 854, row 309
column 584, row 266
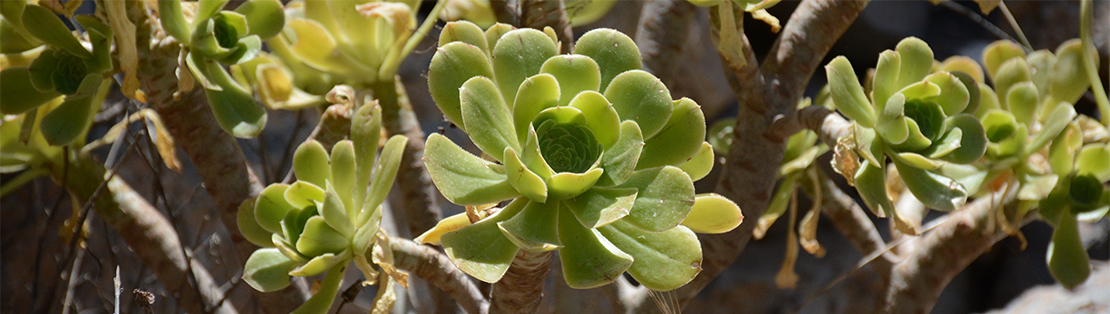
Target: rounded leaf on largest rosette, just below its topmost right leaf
column 641, row 97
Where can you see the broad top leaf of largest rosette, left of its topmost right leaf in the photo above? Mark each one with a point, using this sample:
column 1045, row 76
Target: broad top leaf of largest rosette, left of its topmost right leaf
column 520, row 55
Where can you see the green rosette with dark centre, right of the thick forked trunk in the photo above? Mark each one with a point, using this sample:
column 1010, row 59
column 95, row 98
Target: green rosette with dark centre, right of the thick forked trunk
column 922, row 119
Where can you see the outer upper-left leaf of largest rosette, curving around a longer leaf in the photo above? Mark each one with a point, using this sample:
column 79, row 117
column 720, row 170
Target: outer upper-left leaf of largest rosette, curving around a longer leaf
column 452, row 66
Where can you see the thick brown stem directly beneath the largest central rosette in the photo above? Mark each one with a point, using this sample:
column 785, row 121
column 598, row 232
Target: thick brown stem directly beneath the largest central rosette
column 522, row 288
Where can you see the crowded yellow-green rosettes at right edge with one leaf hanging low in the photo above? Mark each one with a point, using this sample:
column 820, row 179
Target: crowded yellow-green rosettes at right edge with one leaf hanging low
column 1034, row 116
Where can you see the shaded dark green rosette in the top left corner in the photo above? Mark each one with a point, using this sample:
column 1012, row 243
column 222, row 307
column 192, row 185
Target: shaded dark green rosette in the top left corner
column 65, row 68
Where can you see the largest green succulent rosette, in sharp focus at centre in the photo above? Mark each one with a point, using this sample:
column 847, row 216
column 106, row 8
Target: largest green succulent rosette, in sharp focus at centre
column 598, row 157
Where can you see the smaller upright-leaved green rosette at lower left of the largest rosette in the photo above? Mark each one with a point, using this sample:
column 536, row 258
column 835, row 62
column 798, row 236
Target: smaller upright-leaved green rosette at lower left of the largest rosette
column 330, row 216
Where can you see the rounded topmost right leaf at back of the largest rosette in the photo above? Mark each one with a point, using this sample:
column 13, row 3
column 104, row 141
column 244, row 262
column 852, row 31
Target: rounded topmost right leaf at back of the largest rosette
column 614, row 53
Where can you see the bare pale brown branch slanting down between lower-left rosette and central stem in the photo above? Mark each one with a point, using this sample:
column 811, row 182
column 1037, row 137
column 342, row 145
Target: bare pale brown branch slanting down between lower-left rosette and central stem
column 430, row 265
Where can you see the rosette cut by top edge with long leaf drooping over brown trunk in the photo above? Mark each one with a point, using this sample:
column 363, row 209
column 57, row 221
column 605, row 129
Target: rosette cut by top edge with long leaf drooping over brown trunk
column 216, row 38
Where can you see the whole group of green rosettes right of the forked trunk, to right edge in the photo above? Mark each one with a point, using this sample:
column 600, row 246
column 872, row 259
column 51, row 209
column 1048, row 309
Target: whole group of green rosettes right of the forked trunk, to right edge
column 951, row 136
